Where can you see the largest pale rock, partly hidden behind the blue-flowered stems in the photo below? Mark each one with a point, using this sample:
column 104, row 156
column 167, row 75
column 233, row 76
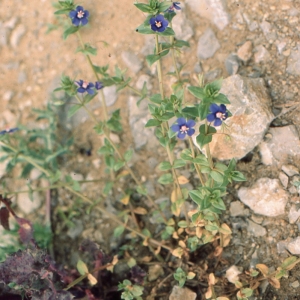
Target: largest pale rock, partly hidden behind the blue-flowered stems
column 251, row 115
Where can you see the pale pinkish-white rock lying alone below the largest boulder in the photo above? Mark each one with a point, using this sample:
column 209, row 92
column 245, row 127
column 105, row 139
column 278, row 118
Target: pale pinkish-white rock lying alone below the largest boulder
column 266, row 197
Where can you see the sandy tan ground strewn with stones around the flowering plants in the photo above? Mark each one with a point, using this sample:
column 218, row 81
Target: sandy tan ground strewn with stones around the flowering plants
column 254, row 45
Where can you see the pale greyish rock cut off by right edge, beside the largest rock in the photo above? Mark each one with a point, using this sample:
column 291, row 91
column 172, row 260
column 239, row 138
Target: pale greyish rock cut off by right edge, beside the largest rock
column 283, row 147
